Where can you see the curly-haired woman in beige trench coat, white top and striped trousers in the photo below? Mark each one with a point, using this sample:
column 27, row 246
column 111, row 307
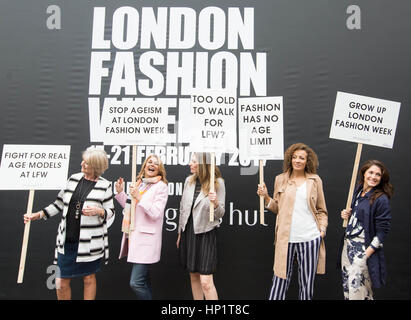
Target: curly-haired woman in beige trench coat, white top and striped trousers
column 301, row 222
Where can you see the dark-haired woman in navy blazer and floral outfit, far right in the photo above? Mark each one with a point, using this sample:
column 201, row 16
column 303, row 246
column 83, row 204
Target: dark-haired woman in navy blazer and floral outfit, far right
column 362, row 257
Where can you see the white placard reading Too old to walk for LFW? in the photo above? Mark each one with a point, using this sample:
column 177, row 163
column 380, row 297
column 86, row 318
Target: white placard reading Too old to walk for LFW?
column 213, row 117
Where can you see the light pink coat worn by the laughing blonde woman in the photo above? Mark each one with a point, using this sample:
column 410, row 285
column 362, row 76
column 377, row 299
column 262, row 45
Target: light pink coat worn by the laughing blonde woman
column 145, row 241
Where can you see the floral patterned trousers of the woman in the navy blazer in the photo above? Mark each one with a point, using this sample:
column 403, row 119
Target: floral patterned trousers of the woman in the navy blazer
column 355, row 276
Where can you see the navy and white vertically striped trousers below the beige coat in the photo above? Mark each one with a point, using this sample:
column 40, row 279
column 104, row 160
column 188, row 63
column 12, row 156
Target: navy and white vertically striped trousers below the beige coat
column 307, row 257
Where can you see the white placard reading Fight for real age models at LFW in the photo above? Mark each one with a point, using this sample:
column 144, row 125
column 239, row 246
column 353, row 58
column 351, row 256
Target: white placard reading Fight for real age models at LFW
column 34, row 167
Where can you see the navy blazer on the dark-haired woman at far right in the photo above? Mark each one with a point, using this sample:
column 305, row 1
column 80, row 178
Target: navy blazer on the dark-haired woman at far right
column 376, row 222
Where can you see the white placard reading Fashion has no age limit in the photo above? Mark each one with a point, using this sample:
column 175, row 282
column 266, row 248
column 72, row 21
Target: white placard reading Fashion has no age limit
column 261, row 133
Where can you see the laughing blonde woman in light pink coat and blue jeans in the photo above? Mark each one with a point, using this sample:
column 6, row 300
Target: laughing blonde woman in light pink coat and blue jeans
column 142, row 245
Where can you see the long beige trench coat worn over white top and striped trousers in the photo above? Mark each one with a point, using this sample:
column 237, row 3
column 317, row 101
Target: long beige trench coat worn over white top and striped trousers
column 283, row 204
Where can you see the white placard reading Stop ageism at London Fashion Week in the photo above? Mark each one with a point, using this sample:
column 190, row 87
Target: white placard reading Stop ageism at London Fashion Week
column 136, row 121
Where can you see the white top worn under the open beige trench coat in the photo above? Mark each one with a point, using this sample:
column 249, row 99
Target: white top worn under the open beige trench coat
column 303, row 225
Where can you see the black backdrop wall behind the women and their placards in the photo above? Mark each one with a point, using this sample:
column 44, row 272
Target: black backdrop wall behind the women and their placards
column 311, row 54
